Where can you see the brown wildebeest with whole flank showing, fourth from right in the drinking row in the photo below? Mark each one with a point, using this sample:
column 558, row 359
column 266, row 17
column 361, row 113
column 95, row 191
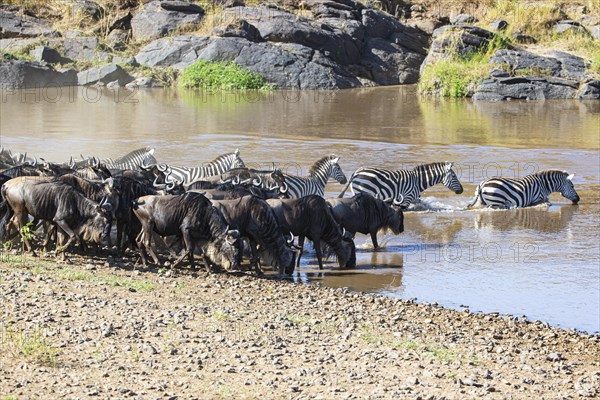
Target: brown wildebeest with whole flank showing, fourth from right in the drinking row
column 192, row 217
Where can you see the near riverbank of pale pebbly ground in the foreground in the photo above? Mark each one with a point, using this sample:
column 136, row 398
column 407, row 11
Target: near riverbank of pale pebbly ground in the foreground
column 97, row 329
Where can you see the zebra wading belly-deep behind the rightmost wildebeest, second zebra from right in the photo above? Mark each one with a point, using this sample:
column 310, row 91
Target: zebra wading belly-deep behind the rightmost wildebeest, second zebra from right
column 403, row 187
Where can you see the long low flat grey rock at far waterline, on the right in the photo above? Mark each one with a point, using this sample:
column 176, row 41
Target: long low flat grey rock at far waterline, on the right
column 527, row 87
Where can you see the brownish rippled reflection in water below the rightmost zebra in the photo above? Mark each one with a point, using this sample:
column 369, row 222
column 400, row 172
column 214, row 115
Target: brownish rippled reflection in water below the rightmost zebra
column 540, row 218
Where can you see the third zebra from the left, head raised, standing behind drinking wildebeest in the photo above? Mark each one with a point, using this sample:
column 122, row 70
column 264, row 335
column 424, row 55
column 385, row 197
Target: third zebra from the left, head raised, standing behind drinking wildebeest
column 297, row 186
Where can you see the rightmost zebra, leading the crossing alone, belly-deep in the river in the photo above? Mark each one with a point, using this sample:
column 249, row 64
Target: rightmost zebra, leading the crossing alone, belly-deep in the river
column 527, row 191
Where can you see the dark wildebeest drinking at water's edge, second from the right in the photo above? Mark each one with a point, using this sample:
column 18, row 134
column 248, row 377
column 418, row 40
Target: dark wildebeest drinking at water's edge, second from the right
column 310, row 217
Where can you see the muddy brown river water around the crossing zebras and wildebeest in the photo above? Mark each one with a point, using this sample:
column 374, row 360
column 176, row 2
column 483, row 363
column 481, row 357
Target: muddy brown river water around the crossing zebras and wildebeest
column 542, row 262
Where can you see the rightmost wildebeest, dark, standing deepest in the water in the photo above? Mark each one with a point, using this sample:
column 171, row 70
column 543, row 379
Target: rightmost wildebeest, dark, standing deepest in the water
column 365, row 214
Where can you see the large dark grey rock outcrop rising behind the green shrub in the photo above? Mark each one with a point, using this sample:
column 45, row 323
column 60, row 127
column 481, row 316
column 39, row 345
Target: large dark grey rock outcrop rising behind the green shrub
column 346, row 45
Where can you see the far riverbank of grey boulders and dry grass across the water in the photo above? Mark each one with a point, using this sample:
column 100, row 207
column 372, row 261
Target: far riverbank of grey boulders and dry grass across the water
column 457, row 51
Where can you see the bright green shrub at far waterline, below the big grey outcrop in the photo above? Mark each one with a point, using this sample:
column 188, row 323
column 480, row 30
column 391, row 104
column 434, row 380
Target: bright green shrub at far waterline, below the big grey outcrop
column 221, row 75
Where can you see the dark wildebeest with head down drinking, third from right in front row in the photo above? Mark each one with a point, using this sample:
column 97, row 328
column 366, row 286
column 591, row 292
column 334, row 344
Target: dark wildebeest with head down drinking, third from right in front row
column 255, row 220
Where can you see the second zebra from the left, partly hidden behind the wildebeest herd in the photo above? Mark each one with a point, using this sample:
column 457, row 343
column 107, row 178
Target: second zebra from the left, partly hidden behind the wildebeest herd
column 185, row 176
